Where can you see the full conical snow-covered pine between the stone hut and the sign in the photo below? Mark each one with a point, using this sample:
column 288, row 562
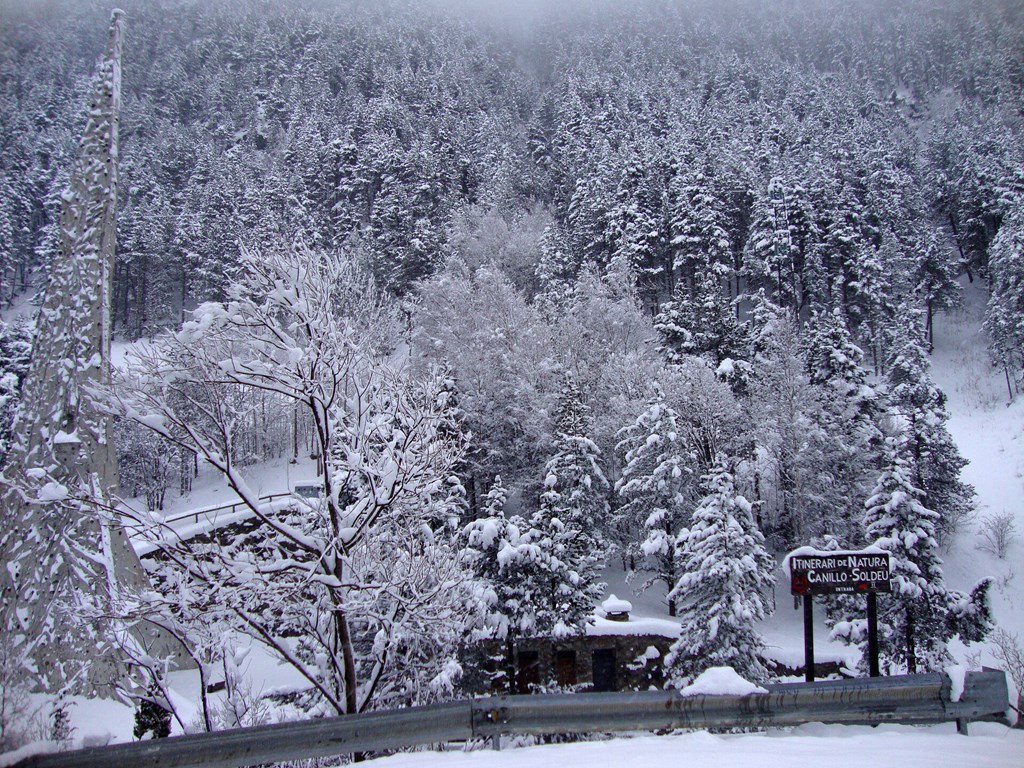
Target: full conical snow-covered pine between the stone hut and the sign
column 726, row 587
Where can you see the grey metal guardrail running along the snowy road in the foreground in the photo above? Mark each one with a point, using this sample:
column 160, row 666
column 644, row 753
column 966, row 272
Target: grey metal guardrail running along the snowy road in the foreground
column 909, row 699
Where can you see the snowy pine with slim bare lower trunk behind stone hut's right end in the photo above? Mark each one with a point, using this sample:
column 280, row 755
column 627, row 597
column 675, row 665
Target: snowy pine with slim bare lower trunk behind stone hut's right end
column 657, row 483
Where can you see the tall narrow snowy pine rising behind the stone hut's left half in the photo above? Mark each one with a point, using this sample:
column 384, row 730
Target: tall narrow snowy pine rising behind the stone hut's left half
column 574, row 507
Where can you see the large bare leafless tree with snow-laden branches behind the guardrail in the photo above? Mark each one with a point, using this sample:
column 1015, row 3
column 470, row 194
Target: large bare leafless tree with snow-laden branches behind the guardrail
column 362, row 594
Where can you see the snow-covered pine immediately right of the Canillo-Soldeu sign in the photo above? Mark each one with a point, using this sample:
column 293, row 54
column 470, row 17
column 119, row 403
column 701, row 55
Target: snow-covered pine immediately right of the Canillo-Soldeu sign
column 922, row 615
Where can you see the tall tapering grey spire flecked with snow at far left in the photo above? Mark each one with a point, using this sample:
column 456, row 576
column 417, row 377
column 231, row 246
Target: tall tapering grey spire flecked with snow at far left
column 61, row 546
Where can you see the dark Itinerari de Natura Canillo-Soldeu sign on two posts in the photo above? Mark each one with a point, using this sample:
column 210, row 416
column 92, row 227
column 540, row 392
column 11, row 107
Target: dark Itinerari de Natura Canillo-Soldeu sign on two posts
column 817, row 573
